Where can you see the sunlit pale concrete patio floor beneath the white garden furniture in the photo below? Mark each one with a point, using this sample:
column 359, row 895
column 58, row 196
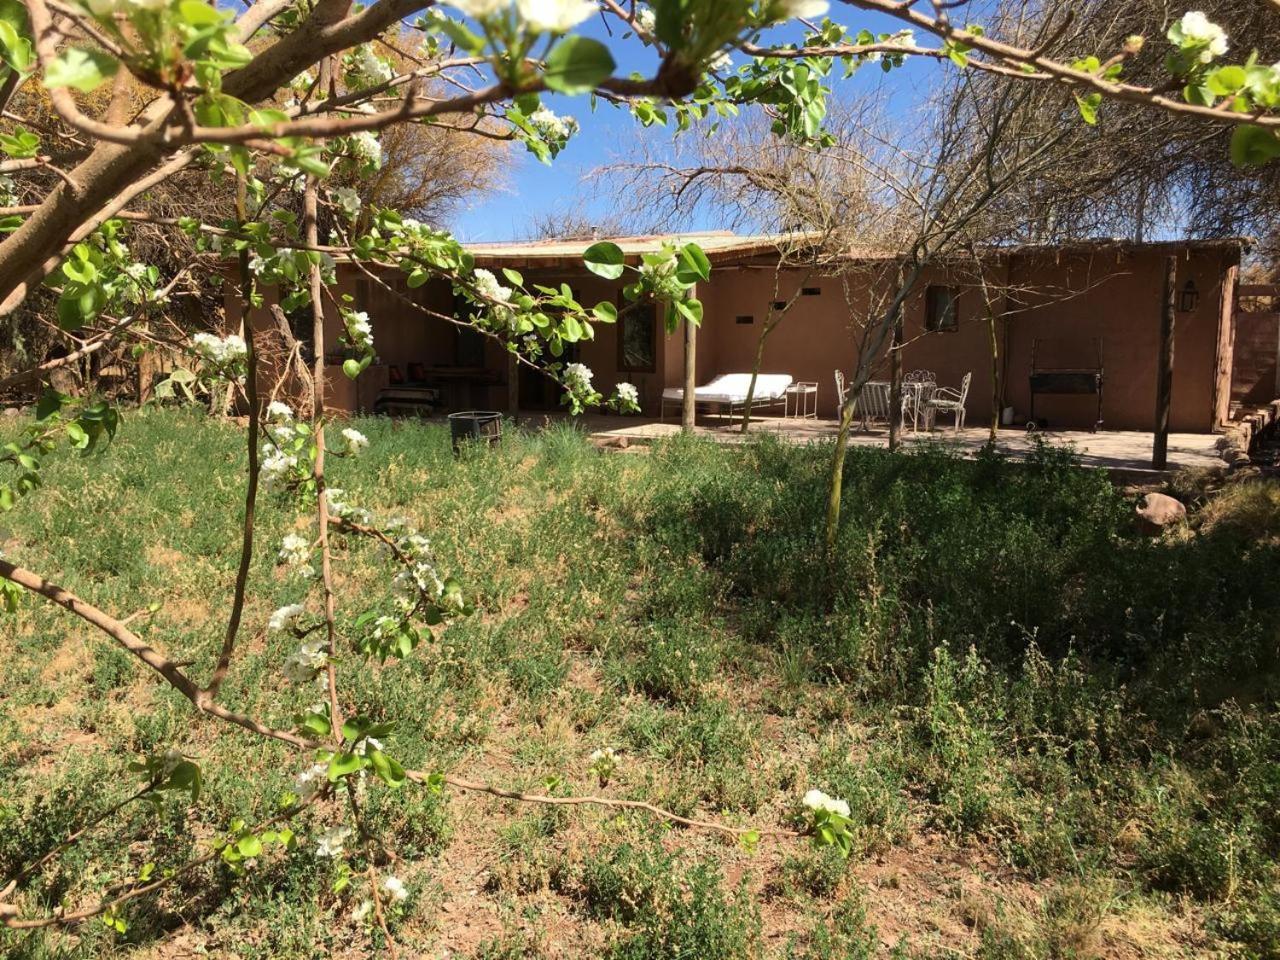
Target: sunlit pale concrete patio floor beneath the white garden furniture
column 1126, row 454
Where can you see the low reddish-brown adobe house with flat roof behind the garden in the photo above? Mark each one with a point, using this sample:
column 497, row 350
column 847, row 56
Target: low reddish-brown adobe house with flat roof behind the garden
column 1068, row 307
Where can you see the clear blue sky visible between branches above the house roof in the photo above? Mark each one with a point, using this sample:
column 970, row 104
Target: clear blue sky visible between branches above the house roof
column 534, row 190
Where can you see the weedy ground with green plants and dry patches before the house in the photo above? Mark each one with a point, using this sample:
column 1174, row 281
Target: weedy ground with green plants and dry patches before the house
column 1059, row 739
